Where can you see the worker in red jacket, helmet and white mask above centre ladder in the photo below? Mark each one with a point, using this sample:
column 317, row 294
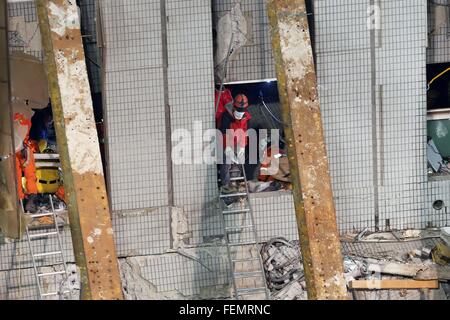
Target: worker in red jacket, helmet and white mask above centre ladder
column 234, row 126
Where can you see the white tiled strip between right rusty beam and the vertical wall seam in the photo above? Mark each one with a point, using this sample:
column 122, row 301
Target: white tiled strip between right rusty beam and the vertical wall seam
column 344, row 65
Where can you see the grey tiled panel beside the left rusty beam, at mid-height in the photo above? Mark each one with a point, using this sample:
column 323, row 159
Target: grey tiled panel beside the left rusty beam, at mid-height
column 136, row 138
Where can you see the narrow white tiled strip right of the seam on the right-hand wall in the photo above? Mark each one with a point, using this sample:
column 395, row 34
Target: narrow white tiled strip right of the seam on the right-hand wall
column 401, row 111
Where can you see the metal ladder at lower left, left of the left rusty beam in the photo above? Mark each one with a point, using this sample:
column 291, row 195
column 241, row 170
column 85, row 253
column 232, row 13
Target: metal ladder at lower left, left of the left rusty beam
column 48, row 232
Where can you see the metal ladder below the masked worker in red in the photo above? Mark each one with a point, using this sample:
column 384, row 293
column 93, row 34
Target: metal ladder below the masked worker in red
column 242, row 236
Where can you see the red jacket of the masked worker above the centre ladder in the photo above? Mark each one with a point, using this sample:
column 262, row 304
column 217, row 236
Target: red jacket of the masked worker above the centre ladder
column 234, row 131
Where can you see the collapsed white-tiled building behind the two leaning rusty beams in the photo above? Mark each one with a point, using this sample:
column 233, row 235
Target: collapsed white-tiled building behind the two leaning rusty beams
column 152, row 68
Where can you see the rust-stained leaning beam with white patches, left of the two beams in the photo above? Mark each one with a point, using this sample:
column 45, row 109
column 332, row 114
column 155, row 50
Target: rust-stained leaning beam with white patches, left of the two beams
column 84, row 182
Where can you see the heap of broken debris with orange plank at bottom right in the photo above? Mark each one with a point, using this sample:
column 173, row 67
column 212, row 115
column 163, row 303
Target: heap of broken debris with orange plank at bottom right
column 378, row 257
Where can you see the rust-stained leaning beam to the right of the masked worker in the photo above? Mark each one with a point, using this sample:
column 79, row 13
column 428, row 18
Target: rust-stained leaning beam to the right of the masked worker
column 313, row 196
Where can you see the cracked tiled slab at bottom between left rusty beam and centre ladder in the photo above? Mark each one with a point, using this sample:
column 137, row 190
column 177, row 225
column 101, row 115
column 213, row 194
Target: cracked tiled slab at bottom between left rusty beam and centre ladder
column 153, row 277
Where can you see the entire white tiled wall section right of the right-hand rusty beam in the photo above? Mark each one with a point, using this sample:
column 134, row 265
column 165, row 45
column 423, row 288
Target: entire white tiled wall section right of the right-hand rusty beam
column 354, row 70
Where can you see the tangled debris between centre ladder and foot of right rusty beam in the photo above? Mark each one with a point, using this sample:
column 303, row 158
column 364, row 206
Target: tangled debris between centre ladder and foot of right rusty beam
column 283, row 266
